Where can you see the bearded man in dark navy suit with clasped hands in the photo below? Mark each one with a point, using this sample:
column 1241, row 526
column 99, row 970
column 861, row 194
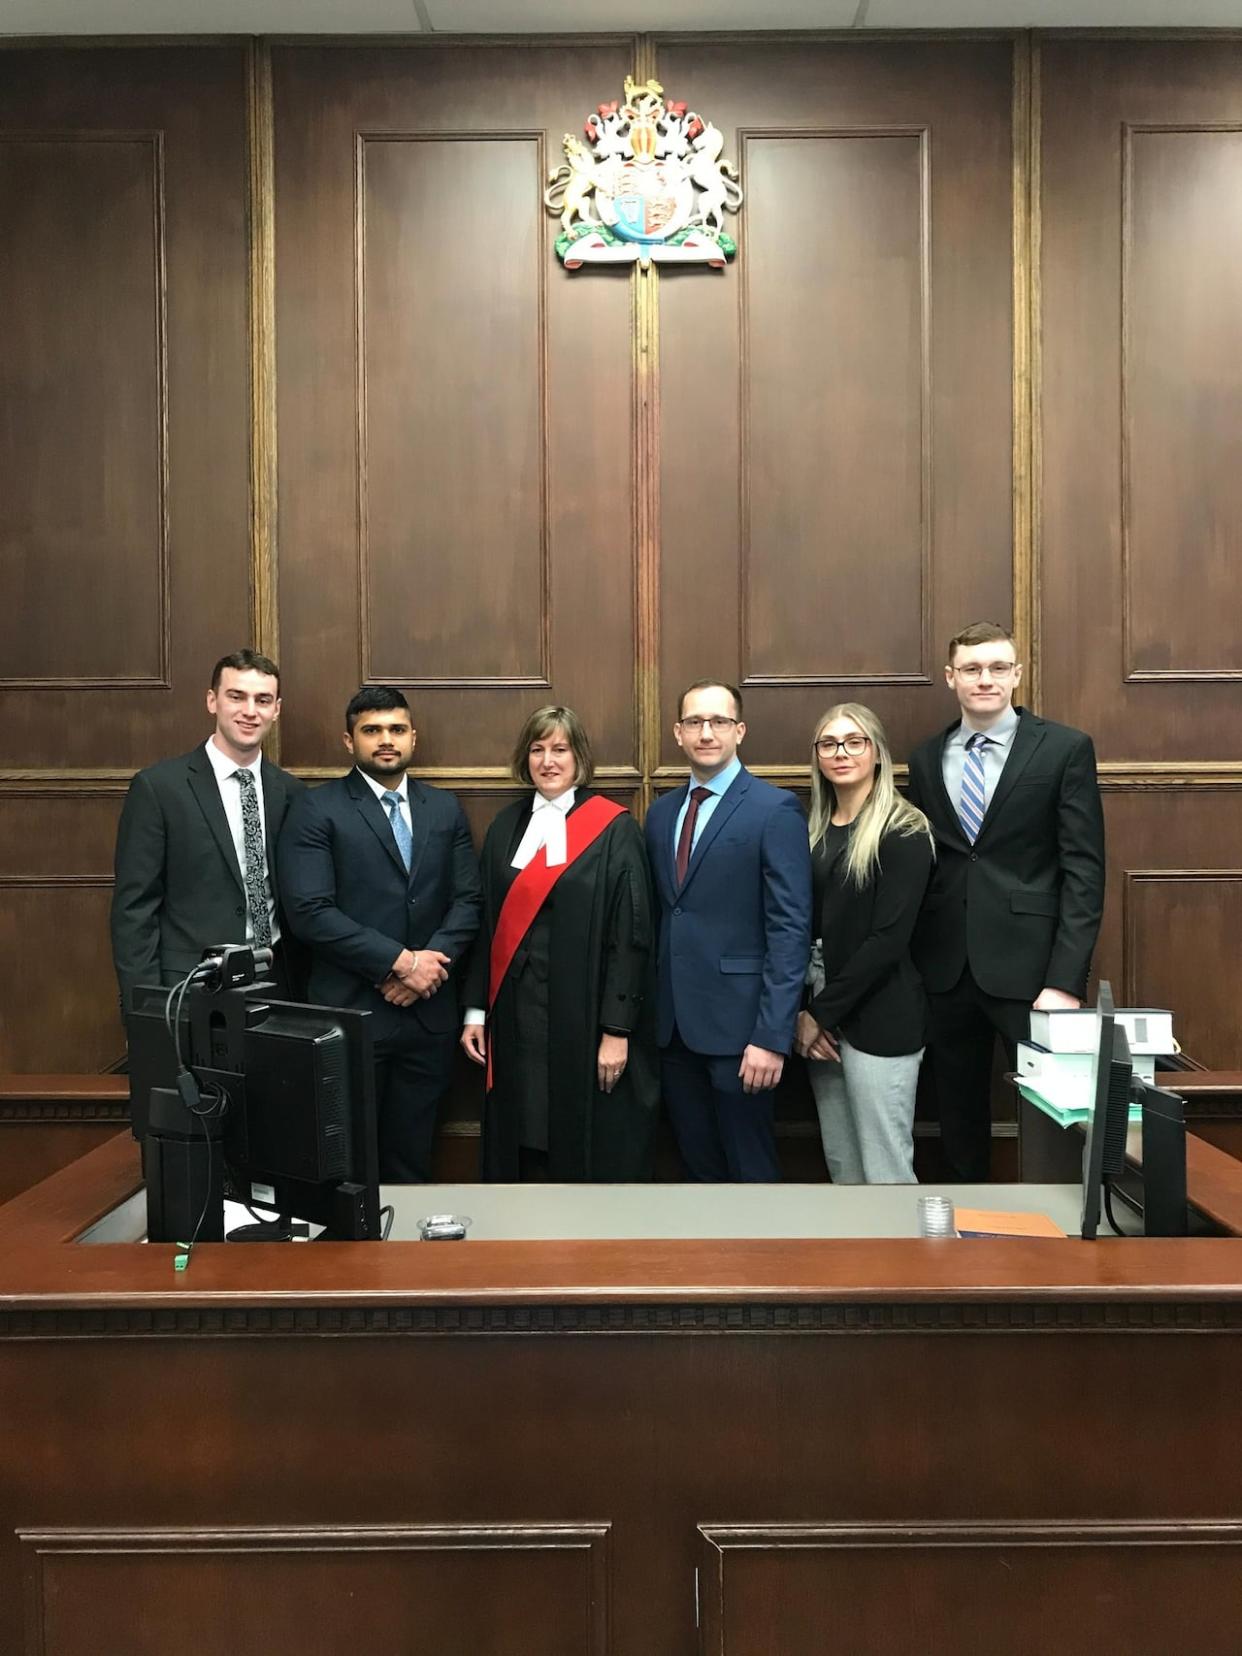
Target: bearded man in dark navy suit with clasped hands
column 382, row 883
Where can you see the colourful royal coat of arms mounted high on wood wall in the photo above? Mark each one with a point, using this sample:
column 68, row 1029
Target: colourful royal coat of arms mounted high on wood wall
column 648, row 185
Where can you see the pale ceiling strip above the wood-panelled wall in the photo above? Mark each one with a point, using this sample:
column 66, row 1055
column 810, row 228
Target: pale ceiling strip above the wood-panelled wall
column 513, row 17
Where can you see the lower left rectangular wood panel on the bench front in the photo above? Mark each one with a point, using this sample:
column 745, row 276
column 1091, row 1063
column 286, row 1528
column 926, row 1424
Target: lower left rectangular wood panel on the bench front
column 493, row 1592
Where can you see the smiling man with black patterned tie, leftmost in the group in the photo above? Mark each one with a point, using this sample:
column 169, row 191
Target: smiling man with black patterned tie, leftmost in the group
column 198, row 835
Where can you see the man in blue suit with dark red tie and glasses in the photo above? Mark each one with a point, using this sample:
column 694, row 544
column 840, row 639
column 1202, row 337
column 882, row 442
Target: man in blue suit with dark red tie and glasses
column 733, row 877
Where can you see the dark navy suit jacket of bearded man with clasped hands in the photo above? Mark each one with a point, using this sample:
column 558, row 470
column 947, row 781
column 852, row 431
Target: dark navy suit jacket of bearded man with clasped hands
column 347, row 895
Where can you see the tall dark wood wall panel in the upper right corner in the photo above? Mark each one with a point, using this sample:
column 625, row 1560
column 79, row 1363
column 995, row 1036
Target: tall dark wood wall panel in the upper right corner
column 1182, row 383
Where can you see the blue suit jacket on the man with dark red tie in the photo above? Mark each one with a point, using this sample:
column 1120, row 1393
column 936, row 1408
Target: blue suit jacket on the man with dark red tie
column 736, row 938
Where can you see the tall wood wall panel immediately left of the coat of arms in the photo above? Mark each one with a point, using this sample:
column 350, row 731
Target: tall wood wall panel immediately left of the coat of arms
column 460, row 594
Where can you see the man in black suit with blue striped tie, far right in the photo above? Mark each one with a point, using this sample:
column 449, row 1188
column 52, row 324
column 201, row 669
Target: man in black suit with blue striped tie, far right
column 1016, row 898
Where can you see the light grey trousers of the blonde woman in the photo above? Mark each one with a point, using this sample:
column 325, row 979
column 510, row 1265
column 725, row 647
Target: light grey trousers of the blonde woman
column 867, row 1110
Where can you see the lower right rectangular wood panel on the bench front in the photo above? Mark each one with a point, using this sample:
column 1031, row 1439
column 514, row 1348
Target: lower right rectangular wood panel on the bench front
column 887, row 1591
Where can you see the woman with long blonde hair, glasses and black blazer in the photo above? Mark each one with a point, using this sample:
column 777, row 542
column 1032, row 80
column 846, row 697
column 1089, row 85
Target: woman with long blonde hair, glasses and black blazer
column 864, row 1029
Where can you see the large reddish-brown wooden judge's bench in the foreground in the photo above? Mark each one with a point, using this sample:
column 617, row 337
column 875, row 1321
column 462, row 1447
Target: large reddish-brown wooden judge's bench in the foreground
column 756, row 1440
